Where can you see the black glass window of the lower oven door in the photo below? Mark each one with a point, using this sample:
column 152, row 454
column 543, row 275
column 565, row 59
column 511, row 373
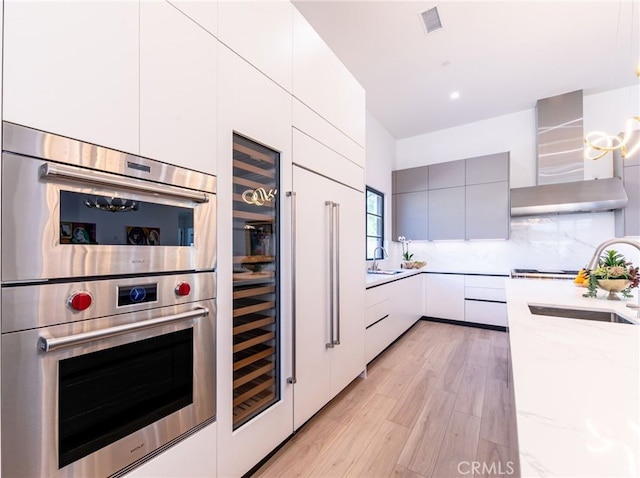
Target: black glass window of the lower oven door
column 106, row 395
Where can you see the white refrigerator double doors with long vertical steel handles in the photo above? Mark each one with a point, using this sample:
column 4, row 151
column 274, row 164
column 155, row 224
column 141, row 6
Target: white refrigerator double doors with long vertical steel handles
column 329, row 290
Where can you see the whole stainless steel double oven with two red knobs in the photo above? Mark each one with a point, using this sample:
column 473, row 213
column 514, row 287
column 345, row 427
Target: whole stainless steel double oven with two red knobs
column 108, row 306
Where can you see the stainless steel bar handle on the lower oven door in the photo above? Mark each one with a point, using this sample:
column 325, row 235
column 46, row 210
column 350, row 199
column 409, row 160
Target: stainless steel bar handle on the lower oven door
column 50, row 344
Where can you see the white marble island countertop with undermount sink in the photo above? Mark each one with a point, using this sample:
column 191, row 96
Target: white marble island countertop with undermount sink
column 576, row 384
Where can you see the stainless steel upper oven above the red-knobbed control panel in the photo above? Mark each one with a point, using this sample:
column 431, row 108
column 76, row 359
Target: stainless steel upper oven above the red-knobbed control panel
column 72, row 209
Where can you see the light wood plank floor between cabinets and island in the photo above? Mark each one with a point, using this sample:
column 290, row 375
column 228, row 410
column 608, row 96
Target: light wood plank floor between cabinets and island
column 435, row 404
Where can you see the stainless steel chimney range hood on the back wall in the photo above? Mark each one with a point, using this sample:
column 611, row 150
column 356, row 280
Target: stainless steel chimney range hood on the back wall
column 561, row 187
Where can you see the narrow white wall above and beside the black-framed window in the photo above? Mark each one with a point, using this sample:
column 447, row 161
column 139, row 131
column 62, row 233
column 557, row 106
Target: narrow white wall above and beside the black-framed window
column 380, row 159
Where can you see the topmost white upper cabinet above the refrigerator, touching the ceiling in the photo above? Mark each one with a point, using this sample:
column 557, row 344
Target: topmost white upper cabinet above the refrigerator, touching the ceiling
column 322, row 82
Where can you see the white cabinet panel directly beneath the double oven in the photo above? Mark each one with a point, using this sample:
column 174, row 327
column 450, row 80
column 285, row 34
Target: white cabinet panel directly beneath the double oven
column 195, row 457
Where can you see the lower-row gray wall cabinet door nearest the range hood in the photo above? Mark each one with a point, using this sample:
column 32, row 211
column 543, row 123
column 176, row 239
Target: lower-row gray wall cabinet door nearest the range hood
column 487, row 211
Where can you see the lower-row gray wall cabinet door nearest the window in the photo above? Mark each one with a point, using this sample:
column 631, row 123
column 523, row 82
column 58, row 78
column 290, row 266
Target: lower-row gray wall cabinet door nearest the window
column 410, row 215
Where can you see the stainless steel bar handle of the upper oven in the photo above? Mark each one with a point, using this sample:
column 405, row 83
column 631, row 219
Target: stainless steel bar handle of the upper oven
column 59, row 171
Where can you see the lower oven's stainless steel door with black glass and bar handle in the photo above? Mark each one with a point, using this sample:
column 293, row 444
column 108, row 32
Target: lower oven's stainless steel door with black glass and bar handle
column 93, row 397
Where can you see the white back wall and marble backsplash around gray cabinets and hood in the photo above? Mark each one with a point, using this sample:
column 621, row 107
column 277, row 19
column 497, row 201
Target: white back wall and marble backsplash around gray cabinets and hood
column 554, row 241
